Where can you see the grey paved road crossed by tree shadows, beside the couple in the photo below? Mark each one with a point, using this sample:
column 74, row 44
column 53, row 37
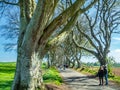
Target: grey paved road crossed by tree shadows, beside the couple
column 77, row 81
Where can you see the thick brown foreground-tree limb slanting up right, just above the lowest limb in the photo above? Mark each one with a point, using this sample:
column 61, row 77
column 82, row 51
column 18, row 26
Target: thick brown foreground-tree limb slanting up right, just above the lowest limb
column 63, row 17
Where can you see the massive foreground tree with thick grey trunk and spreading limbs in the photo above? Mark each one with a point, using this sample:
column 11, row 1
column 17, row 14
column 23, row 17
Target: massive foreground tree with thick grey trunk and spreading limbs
column 36, row 27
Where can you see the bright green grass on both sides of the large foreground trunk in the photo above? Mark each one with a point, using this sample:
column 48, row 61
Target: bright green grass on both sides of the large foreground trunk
column 7, row 74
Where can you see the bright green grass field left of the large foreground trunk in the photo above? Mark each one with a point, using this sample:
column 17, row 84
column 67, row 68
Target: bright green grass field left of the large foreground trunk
column 6, row 75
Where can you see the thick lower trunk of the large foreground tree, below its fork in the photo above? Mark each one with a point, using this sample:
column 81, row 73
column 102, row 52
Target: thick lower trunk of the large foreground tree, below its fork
column 28, row 73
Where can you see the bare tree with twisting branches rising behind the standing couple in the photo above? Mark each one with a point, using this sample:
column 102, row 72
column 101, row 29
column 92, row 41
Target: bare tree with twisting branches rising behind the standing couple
column 101, row 28
